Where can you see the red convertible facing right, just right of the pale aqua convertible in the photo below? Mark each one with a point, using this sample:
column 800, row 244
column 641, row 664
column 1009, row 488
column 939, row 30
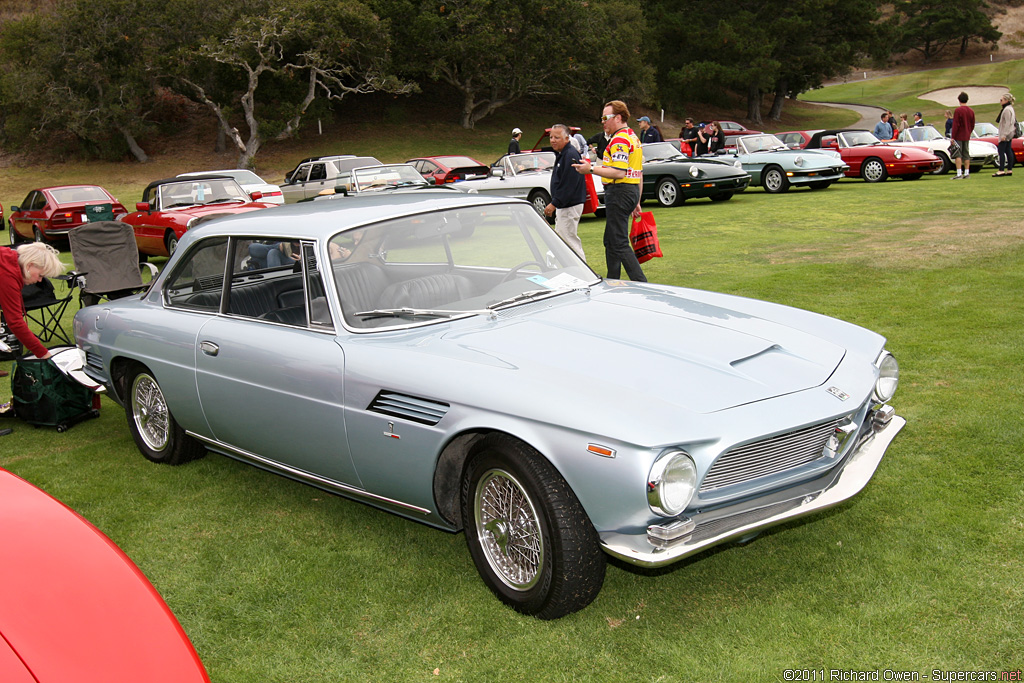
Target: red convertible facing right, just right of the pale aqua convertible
column 866, row 155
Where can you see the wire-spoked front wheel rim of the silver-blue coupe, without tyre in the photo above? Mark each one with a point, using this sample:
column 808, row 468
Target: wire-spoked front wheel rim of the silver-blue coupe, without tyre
column 508, row 530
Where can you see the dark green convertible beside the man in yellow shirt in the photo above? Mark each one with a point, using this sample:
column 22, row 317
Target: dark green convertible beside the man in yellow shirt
column 671, row 178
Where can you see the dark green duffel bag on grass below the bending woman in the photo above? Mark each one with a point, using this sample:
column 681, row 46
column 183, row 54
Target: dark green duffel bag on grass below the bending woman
column 46, row 397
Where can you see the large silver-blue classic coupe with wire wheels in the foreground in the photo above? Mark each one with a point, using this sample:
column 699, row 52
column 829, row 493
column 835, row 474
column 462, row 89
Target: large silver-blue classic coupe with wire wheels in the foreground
column 447, row 358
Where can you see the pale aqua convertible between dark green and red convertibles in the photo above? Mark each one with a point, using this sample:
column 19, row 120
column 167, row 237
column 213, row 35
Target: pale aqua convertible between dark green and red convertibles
column 777, row 168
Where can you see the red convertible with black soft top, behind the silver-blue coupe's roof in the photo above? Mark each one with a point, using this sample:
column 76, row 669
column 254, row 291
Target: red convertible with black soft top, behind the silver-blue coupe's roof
column 172, row 206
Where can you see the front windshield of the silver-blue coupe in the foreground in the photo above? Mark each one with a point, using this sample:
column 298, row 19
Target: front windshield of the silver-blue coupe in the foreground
column 434, row 267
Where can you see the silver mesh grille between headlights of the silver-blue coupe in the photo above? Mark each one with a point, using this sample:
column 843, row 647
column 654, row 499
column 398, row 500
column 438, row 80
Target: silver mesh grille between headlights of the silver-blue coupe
column 770, row 456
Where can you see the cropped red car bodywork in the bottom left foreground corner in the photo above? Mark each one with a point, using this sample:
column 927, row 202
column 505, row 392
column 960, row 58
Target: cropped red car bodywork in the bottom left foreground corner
column 75, row 608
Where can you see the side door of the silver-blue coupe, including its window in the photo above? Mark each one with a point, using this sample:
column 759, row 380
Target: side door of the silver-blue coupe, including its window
column 270, row 371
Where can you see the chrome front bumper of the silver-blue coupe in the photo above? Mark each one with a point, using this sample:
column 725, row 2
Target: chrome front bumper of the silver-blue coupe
column 748, row 519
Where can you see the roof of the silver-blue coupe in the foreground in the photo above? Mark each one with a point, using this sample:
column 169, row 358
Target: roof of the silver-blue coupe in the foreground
column 323, row 220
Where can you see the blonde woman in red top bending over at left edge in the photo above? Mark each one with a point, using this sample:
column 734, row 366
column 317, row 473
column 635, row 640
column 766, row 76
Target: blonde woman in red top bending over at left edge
column 26, row 266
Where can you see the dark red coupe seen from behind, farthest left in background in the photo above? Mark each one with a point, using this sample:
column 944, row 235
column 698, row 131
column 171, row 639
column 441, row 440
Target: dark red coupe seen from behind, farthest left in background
column 50, row 214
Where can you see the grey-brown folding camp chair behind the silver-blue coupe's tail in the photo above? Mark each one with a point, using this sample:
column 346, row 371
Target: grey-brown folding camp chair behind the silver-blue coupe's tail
column 106, row 262
